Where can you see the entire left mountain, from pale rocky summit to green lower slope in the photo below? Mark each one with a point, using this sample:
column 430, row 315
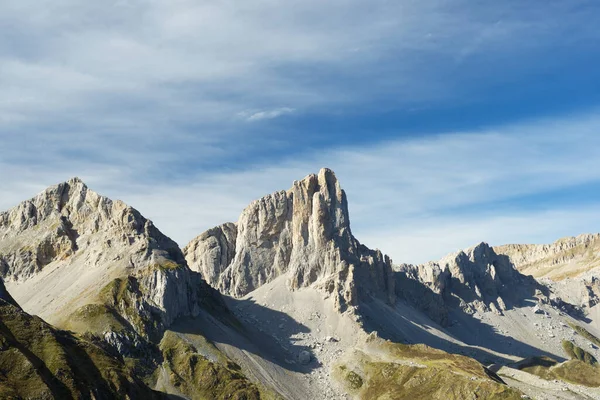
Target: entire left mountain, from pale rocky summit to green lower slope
column 97, row 267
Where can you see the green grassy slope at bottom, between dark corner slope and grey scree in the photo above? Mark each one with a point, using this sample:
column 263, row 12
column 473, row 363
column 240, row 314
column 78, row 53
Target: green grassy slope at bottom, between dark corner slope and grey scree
column 196, row 376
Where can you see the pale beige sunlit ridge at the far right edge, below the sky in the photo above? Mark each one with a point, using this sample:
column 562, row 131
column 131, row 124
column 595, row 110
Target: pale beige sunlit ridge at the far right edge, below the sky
column 566, row 258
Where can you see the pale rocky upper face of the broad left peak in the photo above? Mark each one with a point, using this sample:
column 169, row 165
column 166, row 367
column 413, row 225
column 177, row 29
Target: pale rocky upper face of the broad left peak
column 59, row 250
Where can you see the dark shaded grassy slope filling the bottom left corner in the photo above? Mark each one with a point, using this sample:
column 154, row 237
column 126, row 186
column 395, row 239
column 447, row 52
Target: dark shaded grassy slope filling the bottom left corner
column 39, row 361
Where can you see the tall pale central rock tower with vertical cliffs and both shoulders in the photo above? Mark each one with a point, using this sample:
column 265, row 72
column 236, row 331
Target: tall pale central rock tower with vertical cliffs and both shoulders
column 303, row 232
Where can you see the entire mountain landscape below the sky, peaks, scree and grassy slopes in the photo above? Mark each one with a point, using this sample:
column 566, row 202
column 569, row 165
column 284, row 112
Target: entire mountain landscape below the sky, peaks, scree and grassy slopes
column 285, row 303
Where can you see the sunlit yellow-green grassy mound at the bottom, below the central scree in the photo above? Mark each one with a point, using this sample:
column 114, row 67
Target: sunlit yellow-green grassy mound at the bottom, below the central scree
column 419, row 372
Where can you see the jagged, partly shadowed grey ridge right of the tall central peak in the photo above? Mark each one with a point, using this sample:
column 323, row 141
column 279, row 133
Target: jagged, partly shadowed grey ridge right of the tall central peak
column 475, row 280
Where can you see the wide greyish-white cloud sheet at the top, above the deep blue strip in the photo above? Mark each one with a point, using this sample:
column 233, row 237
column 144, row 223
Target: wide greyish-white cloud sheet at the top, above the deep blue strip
column 198, row 61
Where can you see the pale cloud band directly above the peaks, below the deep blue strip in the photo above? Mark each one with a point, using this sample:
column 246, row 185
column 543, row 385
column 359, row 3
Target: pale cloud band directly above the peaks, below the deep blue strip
column 416, row 199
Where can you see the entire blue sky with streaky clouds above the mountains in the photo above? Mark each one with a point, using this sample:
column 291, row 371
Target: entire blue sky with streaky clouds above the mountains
column 447, row 123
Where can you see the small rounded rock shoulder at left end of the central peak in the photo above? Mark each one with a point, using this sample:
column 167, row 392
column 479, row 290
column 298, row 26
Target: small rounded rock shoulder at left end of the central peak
column 211, row 252
